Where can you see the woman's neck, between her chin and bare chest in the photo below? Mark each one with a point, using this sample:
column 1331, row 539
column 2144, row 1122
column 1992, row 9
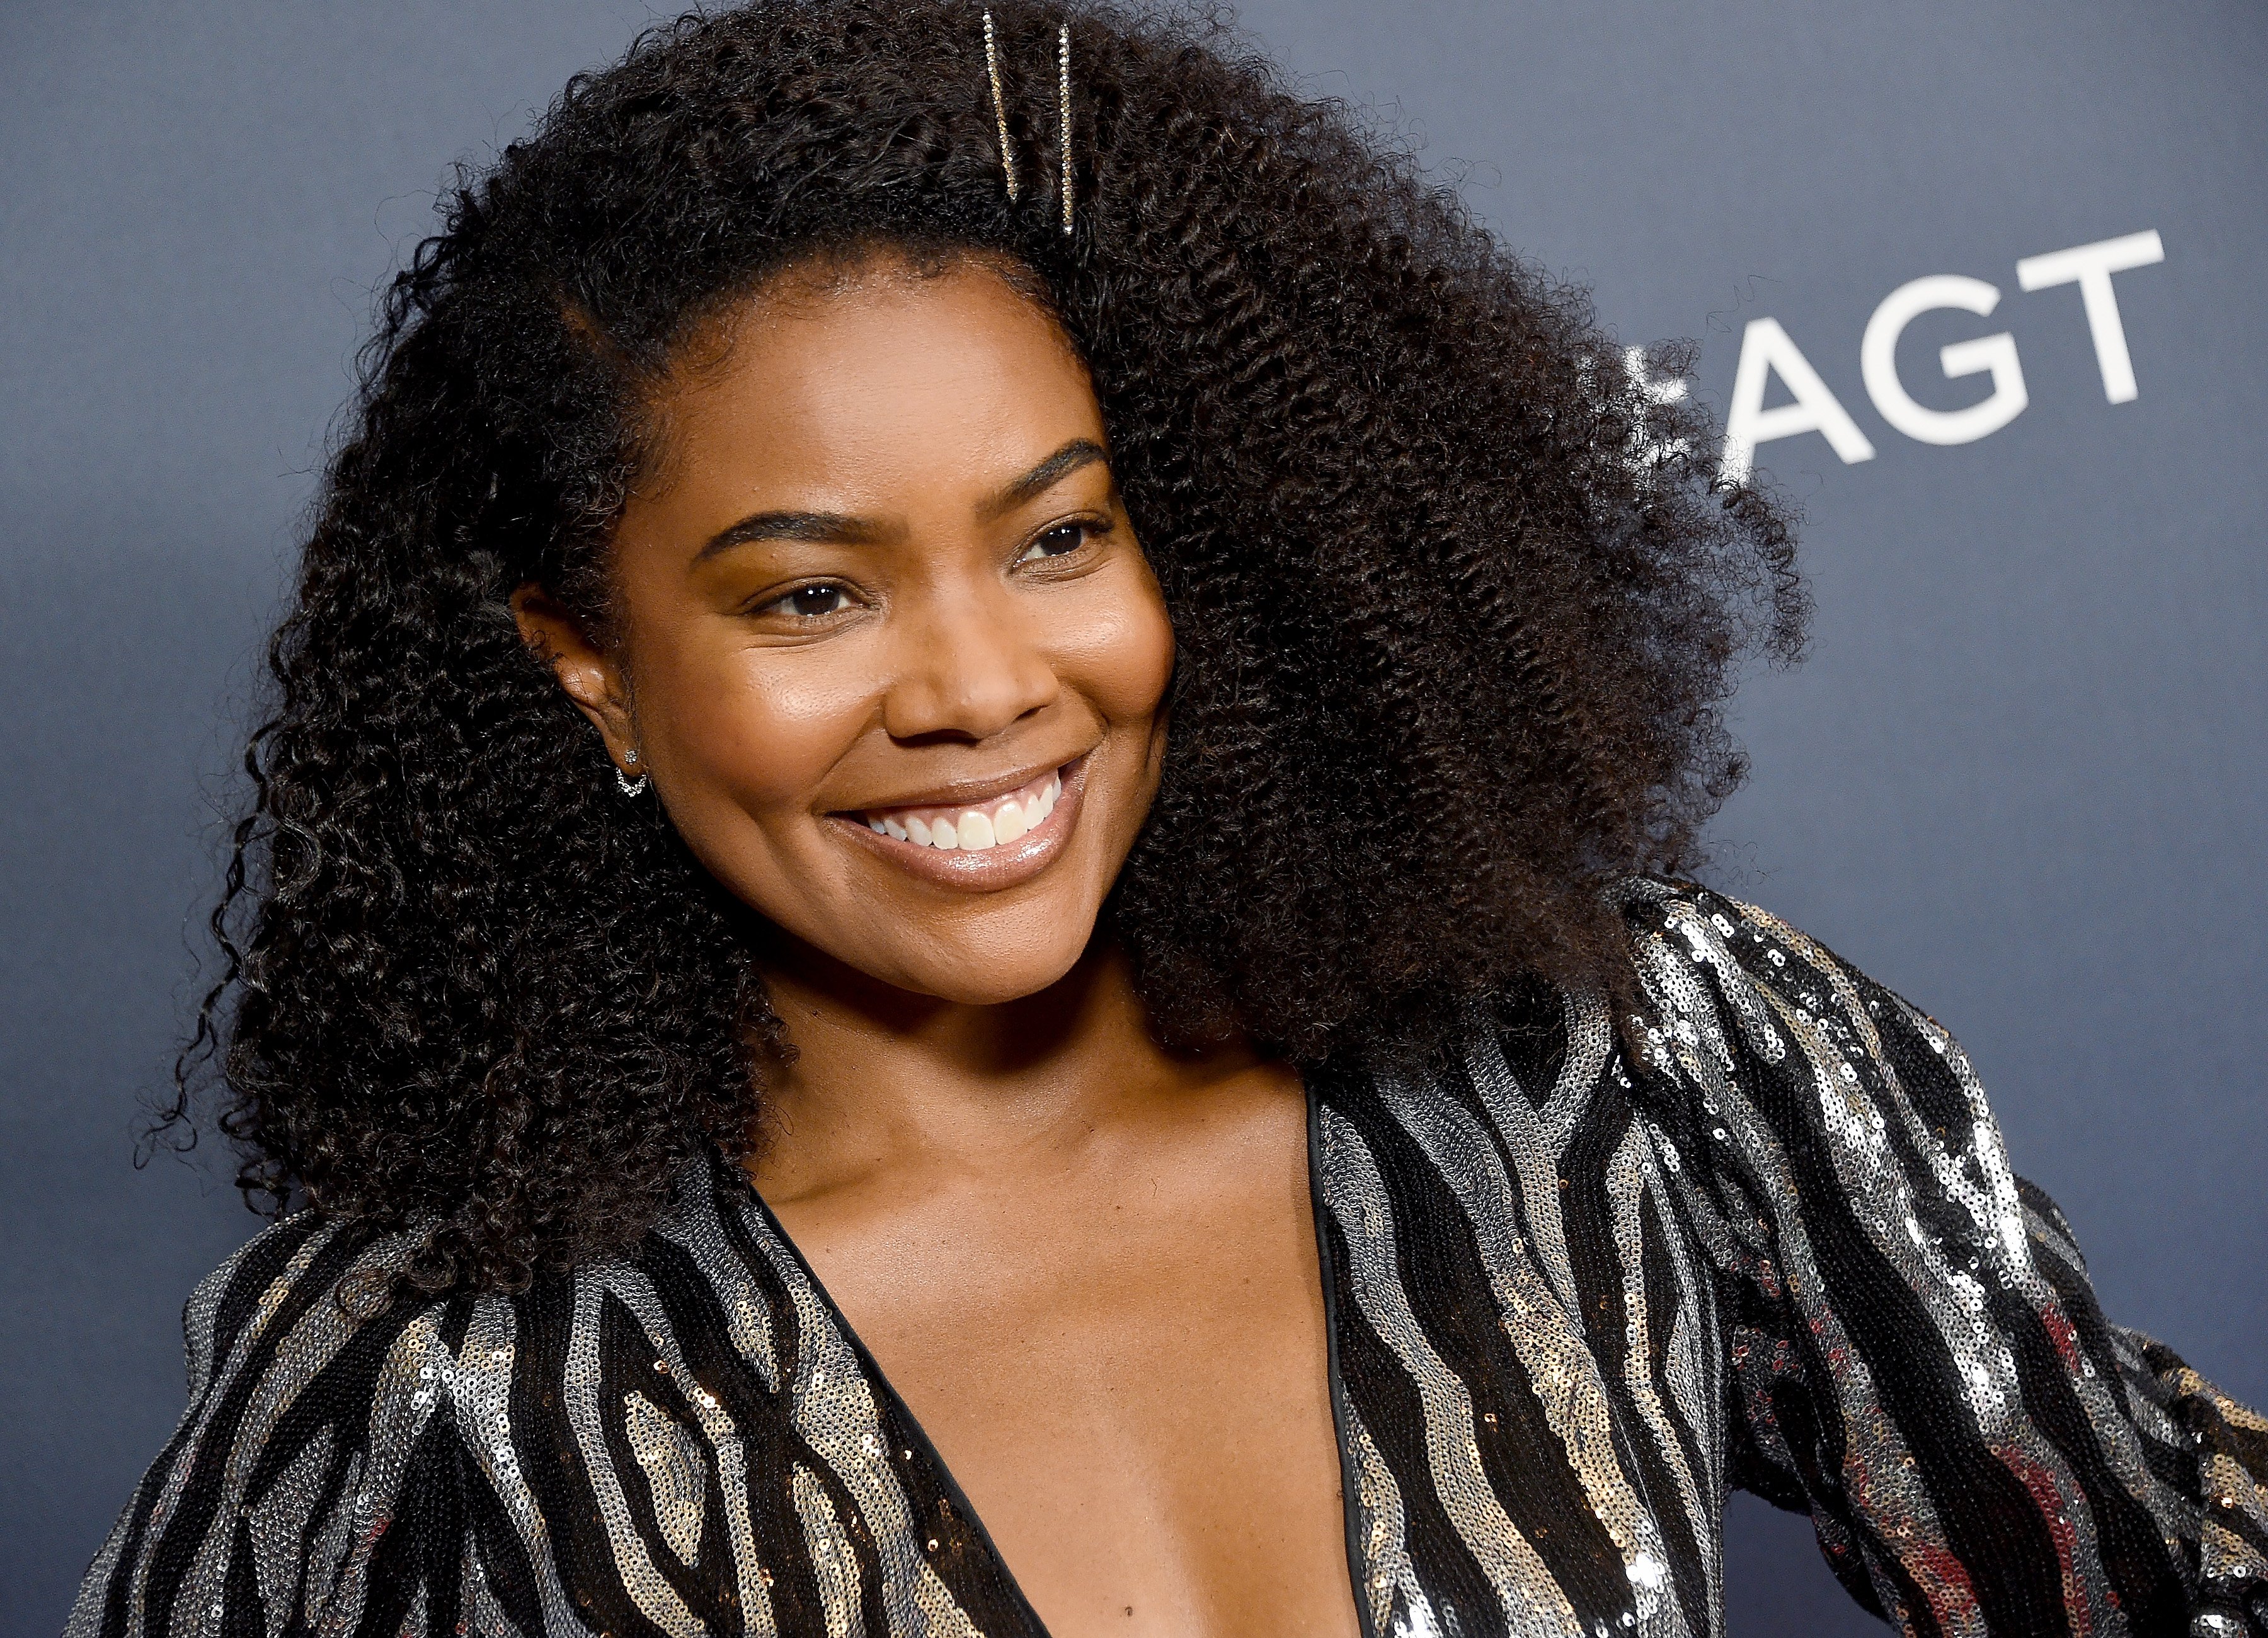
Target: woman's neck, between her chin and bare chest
column 897, row 1086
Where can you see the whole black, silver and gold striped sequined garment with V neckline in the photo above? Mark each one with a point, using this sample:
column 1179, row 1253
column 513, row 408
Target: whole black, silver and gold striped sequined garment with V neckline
column 1573, row 1297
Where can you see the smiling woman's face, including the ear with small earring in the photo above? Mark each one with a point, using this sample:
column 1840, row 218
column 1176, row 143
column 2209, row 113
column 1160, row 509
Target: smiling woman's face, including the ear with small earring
column 886, row 639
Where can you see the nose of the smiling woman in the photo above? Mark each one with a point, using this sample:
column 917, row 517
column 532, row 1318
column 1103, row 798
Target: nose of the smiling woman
column 972, row 666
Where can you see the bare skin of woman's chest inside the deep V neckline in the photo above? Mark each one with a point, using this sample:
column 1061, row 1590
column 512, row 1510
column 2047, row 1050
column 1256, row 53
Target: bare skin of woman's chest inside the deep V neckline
column 1131, row 1385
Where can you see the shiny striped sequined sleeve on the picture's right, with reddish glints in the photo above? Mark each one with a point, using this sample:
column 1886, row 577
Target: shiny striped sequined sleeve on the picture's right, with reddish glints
column 1915, row 1353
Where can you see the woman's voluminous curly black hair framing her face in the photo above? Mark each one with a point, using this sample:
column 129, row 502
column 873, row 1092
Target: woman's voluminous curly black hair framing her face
column 1457, row 605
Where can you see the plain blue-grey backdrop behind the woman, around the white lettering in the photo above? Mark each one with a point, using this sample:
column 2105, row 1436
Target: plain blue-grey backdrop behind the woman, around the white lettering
column 2022, row 777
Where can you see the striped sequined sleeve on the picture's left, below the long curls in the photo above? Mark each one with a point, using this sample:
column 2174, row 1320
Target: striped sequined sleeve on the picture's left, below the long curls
column 312, row 1487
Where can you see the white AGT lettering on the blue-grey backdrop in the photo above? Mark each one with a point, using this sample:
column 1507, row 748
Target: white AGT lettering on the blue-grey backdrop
column 1768, row 351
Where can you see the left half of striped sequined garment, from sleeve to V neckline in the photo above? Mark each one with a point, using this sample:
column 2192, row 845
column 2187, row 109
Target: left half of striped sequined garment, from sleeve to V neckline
column 677, row 1439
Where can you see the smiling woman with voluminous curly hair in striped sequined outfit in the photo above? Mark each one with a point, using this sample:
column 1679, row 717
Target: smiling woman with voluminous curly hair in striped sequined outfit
column 960, row 918
